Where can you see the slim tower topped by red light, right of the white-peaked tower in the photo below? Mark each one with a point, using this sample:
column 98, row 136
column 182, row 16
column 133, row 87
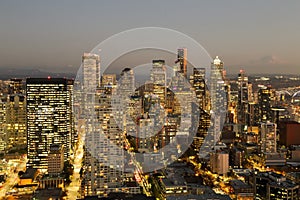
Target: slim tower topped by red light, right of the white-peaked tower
column 243, row 94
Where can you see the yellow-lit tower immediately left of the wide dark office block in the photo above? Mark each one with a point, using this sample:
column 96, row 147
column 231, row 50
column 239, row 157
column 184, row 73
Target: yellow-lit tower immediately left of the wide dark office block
column 16, row 120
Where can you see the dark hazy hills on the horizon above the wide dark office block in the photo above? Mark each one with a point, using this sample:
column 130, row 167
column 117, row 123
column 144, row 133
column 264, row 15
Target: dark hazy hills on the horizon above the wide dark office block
column 7, row 73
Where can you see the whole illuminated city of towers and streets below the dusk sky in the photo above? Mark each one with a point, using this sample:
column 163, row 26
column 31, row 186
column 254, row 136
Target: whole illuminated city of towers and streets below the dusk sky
column 198, row 135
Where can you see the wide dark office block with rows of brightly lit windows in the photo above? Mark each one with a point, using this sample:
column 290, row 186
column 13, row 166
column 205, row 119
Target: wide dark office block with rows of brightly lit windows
column 48, row 120
